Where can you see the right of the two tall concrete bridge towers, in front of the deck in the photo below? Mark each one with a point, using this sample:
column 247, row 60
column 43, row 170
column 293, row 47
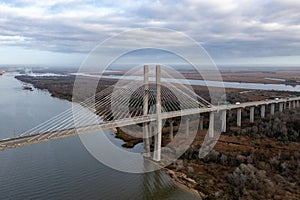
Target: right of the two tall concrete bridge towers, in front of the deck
column 158, row 135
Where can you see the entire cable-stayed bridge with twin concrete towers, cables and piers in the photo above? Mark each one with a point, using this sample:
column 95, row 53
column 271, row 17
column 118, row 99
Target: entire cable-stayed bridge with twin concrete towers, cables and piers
column 152, row 103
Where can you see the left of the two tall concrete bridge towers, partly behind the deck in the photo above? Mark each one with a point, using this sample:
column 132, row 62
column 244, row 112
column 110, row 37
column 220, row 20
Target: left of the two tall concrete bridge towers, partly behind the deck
column 145, row 112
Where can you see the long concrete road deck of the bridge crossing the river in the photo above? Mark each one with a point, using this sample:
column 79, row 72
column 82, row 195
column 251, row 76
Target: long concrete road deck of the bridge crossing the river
column 67, row 132
